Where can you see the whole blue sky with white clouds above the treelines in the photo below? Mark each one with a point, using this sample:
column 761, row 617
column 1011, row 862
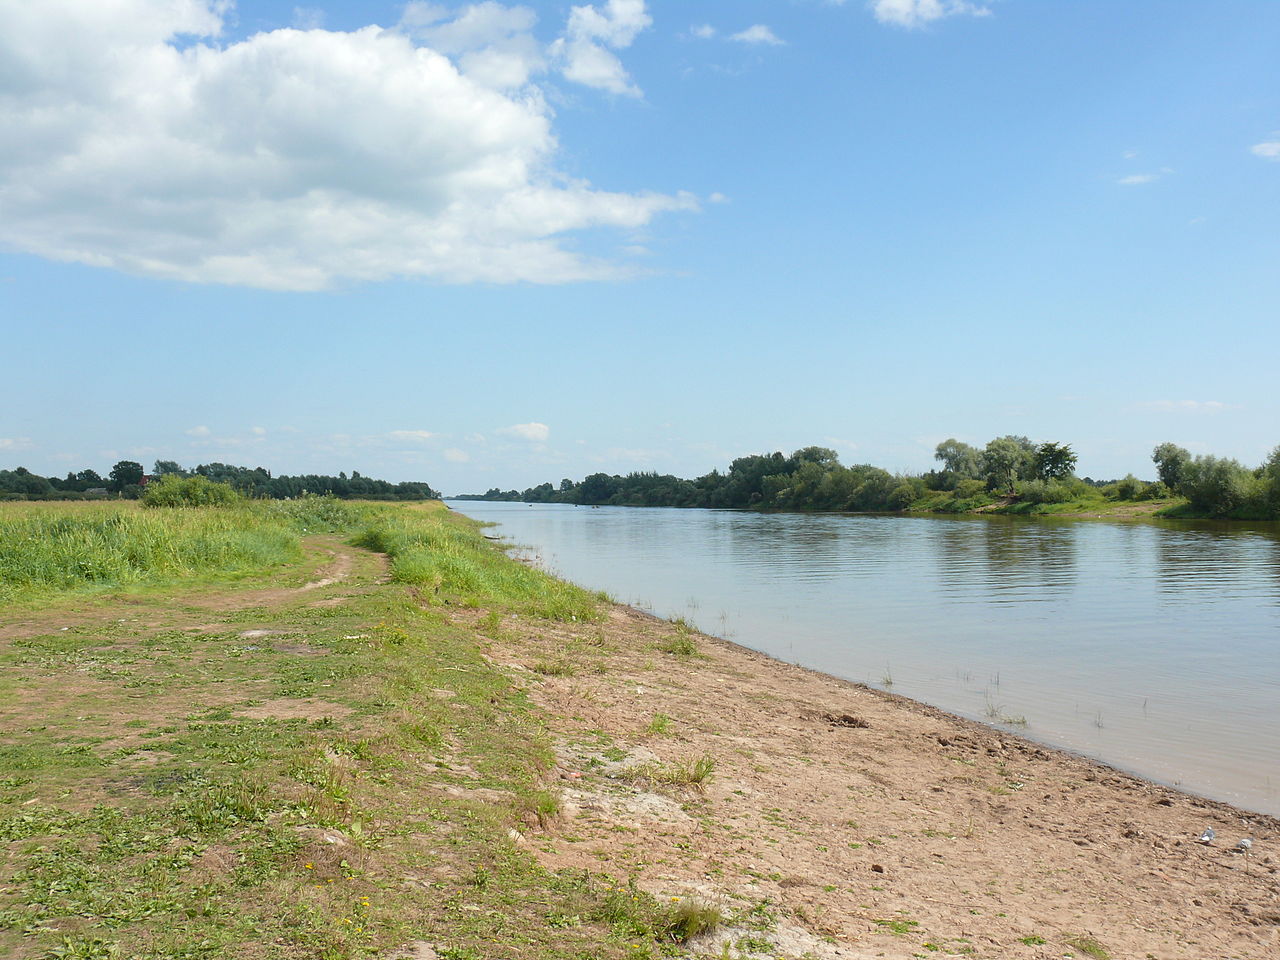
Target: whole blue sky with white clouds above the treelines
column 495, row 245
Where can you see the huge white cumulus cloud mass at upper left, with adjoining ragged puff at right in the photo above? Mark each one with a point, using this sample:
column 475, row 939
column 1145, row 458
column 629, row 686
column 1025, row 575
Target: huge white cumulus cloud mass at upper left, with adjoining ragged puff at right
column 134, row 138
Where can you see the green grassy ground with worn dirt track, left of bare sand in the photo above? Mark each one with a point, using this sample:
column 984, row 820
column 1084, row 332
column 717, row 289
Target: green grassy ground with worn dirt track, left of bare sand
column 296, row 771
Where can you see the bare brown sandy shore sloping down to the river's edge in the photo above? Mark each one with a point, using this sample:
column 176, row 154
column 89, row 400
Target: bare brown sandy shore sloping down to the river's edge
column 845, row 822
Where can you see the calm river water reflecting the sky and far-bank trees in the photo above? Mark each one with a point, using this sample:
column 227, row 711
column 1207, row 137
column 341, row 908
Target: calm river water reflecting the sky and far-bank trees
column 1153, row 647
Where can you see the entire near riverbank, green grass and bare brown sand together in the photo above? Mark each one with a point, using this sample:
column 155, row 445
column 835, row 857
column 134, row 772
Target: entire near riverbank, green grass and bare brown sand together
column 391, row 740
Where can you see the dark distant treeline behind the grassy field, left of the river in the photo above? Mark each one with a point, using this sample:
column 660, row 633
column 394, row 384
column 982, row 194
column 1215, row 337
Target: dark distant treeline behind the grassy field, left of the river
column 129, row 479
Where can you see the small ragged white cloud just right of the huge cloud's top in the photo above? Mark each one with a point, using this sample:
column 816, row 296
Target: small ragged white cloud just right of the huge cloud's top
column 582, row 53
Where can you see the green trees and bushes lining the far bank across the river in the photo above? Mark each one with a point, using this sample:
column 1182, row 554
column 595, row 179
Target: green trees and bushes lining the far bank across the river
column 1011, row 469
